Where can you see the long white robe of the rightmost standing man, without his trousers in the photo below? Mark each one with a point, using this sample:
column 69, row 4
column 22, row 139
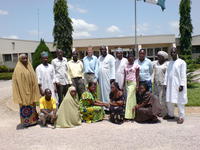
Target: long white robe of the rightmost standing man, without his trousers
column 175, row 77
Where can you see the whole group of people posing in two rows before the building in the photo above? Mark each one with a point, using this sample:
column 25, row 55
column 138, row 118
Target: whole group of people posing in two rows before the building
column 67, row 90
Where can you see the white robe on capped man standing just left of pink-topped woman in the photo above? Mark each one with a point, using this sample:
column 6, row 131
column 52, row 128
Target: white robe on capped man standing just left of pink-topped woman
column 119, row 71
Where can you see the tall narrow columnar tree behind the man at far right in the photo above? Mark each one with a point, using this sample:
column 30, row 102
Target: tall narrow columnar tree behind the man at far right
column 185, row 29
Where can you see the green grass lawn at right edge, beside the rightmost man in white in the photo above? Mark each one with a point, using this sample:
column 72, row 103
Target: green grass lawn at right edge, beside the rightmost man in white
column 194, row 95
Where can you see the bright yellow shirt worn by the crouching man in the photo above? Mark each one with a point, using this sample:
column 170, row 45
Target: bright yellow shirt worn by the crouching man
column 44, row 104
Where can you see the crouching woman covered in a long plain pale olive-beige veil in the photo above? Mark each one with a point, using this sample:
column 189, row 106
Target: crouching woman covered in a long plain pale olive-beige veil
column 68, row 114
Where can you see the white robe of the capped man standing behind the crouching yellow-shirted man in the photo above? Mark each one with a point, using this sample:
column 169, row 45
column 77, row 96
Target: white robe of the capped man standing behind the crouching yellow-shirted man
column 46, row 78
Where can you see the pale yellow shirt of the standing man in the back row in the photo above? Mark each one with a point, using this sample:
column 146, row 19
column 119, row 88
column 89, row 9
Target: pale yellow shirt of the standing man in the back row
column 75, row 69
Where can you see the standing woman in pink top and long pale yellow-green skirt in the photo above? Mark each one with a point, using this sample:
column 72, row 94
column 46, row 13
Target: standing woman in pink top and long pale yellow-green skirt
column 132, row 82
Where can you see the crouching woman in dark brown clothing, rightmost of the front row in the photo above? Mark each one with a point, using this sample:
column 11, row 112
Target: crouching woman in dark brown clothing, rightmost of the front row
column 148, row 106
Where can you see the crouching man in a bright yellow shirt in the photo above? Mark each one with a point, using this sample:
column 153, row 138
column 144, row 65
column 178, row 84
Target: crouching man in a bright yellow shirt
column 47, row 108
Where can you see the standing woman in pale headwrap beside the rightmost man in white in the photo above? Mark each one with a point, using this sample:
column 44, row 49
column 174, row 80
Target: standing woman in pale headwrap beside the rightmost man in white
column 160, row 67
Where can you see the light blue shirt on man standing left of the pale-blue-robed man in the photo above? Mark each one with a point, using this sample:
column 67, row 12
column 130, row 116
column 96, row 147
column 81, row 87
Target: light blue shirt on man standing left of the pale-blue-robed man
column 91, row 65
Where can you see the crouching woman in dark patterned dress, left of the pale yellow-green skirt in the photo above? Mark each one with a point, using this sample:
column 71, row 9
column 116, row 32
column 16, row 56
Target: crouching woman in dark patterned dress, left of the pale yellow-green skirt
column 117, row 108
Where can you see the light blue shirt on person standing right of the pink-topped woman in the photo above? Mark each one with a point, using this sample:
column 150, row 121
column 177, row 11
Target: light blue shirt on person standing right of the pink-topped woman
column 146, row 69
